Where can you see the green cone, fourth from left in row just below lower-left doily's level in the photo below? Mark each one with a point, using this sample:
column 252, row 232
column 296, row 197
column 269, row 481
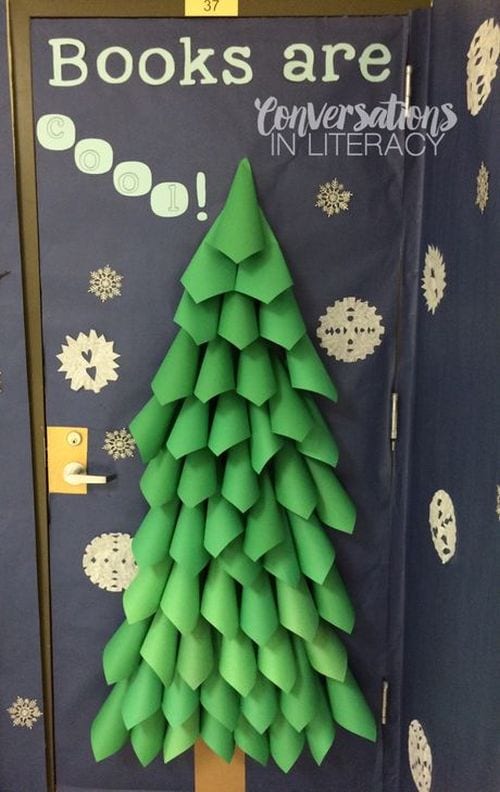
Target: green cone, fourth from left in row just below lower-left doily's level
column 259, row 617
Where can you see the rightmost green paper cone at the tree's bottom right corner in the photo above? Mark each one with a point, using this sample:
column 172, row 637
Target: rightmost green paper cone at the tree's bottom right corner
column 349, row 707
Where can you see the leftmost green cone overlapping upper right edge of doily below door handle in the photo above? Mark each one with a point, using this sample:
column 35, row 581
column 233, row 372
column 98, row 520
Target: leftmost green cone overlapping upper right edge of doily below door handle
column 152, row 540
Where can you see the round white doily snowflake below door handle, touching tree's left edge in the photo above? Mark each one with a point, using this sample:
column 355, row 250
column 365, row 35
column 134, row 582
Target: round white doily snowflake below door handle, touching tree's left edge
column 109, row 563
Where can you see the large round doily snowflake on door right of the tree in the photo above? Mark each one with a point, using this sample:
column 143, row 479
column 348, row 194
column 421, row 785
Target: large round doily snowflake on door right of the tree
column 350, row 330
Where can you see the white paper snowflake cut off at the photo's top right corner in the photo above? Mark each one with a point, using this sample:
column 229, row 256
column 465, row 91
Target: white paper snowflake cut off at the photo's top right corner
column 482, row 60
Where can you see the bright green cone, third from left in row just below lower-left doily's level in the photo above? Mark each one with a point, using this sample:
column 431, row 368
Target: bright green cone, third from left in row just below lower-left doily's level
column 219, row 604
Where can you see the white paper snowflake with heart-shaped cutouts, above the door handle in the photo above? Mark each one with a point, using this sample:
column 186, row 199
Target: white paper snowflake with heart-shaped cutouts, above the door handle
column 89, row 362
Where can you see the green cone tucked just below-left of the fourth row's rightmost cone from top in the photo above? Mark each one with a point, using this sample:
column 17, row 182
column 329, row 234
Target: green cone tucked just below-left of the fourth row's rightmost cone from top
column 290, row 416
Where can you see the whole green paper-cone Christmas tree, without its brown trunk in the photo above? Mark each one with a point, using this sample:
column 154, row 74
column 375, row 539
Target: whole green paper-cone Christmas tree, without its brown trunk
column 232, row 622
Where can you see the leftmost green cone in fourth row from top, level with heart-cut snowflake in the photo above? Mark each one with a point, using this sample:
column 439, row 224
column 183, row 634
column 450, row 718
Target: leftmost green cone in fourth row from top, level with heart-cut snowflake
column 176, row 377
